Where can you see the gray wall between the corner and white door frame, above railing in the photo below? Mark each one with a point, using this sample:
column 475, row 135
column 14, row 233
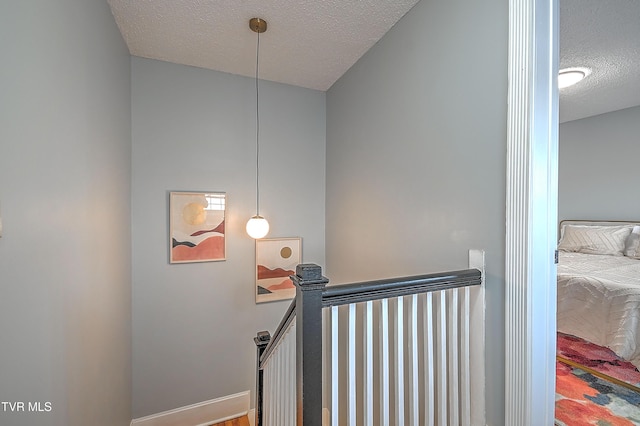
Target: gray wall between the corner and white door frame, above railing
column 416, row 146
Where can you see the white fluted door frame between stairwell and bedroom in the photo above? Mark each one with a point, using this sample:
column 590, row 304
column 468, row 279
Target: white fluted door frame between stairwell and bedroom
column 531, row 213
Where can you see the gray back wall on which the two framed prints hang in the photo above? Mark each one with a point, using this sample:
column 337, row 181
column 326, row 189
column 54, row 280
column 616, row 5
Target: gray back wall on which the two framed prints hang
column 194, row 130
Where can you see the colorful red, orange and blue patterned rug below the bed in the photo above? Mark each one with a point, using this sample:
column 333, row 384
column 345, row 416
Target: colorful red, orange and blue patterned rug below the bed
column 587, row 396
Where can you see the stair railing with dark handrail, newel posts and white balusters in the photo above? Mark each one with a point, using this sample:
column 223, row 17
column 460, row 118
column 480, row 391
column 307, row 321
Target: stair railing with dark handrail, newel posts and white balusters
column 400, row 351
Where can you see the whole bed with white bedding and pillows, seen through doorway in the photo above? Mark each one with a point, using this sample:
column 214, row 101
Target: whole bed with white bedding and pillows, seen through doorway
column 599, row 284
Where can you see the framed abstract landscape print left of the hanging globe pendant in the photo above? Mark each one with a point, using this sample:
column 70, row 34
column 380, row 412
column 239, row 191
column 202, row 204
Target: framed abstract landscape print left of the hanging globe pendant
column 196, row 226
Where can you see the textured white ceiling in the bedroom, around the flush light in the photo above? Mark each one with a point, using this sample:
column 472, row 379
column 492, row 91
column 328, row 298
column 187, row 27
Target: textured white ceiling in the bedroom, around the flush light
column 605, row 37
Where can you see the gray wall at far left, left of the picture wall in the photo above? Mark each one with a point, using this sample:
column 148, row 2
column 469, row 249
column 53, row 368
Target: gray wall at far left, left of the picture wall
column 65, row 274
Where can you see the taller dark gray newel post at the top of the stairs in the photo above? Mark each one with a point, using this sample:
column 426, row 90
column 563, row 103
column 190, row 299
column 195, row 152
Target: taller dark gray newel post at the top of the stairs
column 309, row 284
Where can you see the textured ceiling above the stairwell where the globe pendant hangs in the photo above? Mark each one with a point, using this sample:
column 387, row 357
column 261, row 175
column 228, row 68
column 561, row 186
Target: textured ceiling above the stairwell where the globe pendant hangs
column 308, row 43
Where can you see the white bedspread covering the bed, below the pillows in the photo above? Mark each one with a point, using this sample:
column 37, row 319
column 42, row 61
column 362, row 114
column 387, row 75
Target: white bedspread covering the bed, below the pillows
column 599, row 300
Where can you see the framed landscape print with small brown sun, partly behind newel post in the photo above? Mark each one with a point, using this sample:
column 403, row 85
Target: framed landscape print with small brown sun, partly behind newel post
column 276, row 259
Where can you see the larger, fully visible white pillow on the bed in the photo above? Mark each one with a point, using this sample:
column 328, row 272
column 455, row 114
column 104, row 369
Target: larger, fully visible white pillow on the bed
column 609, row 240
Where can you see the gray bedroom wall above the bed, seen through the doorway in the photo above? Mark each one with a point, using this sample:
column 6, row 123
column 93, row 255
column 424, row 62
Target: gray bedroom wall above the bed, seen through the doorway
column 598, row 167
